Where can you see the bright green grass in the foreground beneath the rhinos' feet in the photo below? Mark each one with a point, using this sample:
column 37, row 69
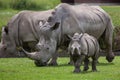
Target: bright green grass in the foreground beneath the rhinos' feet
column 24, row 69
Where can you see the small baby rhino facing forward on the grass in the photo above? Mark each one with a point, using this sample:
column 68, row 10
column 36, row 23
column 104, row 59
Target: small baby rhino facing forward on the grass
column 81, row 47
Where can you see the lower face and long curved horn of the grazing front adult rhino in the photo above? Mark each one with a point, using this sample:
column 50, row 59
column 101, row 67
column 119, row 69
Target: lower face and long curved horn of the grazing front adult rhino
column 46, row 49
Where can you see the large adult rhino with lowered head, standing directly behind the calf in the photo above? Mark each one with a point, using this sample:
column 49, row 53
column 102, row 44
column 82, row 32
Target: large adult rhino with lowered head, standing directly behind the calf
column 66, row 20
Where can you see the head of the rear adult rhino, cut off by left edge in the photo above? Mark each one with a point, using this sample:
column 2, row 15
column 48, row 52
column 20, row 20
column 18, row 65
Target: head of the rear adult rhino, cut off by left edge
column 7, row 45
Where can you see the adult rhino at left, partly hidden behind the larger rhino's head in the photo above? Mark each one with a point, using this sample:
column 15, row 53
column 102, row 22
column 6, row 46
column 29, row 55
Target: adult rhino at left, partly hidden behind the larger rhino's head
column 22, row 30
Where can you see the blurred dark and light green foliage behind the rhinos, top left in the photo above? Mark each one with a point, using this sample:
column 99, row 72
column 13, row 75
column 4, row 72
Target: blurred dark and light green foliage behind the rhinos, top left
column 28, row 4
